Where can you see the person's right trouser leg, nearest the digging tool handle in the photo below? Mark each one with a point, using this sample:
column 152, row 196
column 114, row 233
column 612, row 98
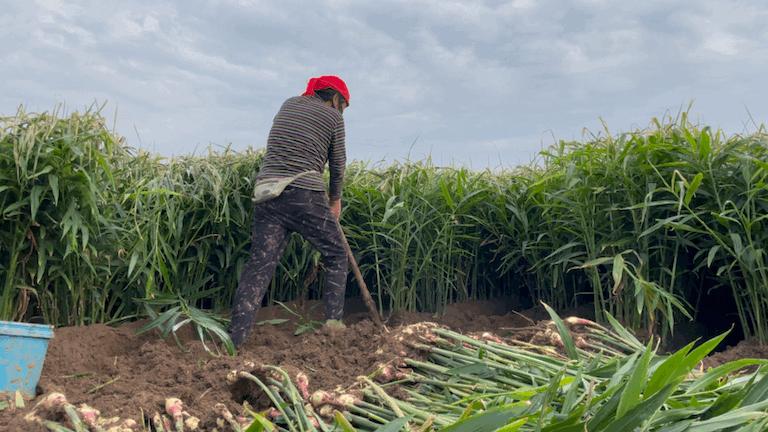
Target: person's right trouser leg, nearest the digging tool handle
column 317, row 225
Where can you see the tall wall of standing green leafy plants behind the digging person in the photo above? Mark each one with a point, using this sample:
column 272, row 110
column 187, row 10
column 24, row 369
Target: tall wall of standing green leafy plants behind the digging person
column 642, row 225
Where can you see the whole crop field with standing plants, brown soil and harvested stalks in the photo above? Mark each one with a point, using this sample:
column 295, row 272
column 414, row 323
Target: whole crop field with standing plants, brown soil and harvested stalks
column 586, row 291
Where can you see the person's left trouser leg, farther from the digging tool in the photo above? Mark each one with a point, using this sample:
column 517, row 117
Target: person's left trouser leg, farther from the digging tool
column 268, row 241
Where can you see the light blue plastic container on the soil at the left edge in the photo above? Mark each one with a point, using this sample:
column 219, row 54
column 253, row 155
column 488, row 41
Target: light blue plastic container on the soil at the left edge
column 22, row 353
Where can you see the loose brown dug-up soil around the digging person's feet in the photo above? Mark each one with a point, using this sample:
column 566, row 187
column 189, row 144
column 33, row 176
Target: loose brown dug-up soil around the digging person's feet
column 126, row 375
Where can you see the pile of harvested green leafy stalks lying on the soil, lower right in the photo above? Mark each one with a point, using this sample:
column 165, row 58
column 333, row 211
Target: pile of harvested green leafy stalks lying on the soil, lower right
column 466, row 387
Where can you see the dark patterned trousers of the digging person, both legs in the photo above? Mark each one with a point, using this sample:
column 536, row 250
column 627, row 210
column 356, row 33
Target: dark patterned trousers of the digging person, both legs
column 295, row 210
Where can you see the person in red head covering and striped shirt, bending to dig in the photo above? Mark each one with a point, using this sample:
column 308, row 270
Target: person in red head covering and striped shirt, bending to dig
column 307, row 133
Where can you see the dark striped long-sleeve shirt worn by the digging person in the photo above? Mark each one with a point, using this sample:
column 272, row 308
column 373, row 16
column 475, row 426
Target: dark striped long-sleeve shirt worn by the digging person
column 306, row 133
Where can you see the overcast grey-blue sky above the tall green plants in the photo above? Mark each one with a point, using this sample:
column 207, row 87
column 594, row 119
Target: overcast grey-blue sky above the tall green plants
column 477, row 83
